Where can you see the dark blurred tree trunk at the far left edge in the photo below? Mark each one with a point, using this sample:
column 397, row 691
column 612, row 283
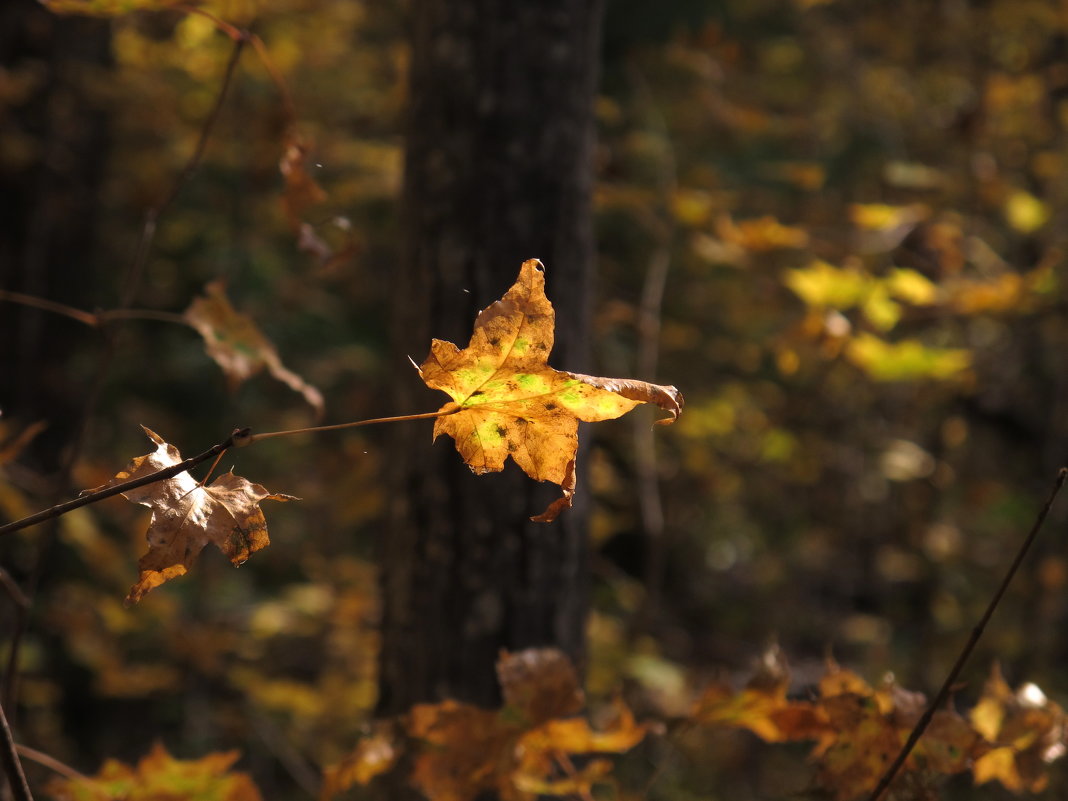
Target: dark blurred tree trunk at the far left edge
column 54, row 135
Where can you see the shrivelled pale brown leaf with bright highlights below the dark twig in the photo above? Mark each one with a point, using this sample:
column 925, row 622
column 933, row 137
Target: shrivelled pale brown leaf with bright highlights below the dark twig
column 187, row 516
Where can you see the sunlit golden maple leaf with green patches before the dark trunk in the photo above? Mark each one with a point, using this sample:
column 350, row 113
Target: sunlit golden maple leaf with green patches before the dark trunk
column 509, row 402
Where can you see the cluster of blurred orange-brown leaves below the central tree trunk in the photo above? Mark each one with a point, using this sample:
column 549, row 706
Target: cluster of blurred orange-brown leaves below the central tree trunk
column 460, row 752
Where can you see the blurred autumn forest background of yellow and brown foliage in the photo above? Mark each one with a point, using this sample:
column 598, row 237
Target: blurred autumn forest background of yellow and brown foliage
column 837, row 227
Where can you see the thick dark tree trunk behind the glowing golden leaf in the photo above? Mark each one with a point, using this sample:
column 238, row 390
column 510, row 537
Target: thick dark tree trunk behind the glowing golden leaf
column 498, row 170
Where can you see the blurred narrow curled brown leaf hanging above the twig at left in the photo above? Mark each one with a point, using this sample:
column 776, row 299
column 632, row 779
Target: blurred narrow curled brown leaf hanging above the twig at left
column 239, row 347
